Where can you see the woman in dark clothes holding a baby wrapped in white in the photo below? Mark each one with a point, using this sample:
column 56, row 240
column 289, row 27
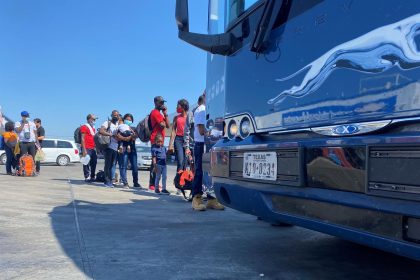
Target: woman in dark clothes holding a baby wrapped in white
column 128, row 152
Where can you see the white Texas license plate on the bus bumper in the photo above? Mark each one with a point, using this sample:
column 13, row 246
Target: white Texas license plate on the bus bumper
column 260, row 166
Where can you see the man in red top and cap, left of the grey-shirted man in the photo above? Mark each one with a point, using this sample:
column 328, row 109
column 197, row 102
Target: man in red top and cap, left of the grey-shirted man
column 87, row 132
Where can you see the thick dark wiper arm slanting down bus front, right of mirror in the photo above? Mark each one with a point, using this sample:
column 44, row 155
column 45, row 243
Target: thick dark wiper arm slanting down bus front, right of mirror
column 262, row 33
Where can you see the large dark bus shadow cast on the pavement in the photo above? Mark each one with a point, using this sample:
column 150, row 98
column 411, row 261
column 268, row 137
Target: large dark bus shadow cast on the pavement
column 160, row 237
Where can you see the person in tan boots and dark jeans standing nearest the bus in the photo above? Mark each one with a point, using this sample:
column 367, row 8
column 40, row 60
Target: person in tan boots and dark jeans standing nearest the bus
column 199, row 133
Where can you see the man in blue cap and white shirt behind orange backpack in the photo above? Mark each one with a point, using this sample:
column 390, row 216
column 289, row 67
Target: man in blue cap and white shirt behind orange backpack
column 27, row 132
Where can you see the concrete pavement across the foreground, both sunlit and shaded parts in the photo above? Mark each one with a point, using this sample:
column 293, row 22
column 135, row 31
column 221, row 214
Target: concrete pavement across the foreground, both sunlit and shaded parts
column 55, row 226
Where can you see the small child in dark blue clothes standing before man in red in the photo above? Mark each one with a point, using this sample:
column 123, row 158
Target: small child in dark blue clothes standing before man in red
column 159, row 163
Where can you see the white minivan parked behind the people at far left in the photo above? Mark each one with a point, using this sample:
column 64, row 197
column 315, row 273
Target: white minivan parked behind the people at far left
column 61, row 152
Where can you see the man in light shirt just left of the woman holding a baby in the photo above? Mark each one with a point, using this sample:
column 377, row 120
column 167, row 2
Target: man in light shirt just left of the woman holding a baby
column 110, row 128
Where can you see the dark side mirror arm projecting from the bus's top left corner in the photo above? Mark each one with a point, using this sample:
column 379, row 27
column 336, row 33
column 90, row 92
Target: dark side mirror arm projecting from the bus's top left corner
column 223, row 44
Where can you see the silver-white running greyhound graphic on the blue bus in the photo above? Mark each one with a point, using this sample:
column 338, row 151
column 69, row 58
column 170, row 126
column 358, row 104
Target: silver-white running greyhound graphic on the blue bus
column 375, row 52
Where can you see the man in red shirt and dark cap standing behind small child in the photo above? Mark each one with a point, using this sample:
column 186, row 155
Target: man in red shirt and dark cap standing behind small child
column 159, row 121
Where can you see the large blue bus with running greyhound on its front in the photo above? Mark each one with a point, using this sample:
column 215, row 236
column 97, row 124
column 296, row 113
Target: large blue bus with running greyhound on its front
column 314, row 112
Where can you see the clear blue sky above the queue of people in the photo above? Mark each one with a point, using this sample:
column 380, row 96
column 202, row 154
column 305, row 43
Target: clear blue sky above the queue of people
column 63, row 59
